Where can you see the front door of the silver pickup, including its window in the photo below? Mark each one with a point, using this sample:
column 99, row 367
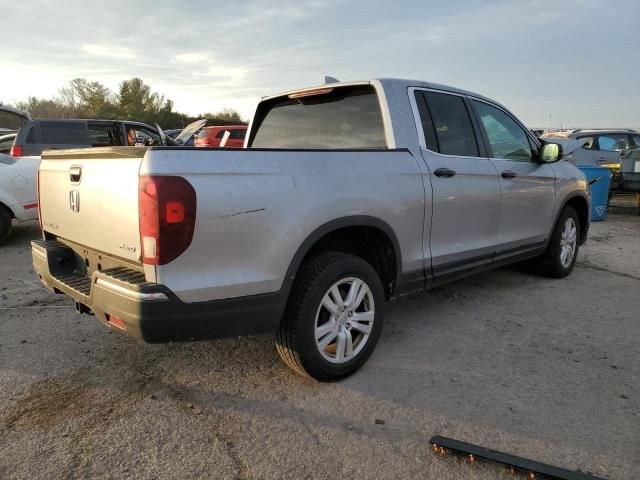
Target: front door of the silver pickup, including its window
column 527, row 185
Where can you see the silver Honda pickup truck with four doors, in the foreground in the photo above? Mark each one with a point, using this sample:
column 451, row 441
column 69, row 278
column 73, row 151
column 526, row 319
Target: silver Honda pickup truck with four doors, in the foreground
column 346, row 196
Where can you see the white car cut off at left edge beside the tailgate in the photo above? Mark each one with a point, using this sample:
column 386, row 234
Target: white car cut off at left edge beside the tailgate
column 18, row 197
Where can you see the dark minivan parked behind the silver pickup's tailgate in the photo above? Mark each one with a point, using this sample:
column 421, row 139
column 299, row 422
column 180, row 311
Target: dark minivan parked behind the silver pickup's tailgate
column 41, row 134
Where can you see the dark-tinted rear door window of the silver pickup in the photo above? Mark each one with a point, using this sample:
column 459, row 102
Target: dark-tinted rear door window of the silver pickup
column 453, row 128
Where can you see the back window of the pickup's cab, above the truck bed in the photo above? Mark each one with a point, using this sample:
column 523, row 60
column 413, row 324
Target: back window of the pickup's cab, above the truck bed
column 342, row 117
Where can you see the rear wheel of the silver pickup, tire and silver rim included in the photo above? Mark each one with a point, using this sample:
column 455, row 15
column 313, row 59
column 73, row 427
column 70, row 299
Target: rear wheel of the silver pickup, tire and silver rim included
column 334, row 317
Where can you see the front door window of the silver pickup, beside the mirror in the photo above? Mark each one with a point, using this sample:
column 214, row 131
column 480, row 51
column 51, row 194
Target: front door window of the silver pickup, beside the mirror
column 507, row 139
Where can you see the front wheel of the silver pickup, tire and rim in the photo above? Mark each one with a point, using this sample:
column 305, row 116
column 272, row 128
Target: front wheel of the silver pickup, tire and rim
column 560, row 257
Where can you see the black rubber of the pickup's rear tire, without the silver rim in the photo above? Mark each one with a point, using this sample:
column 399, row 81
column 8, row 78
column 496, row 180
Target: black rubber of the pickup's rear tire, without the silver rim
column 296, row 342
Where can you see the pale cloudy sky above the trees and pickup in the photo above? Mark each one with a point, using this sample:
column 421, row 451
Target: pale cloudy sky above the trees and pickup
column 578, row 60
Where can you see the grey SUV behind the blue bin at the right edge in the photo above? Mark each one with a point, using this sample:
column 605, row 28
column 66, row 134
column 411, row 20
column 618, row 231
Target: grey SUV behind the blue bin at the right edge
column 601, row 147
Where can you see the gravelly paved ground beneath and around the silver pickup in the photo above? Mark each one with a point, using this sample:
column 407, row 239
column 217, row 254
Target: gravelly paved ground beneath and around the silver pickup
column 545, row 369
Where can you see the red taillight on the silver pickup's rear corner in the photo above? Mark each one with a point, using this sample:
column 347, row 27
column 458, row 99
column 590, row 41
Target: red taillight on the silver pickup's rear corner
column 167, row 210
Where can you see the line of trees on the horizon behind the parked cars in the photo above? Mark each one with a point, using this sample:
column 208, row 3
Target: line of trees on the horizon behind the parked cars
column 134, row 100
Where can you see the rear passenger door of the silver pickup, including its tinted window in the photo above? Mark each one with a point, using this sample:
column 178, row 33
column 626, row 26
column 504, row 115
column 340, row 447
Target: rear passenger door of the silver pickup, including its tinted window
column 465, row 185
